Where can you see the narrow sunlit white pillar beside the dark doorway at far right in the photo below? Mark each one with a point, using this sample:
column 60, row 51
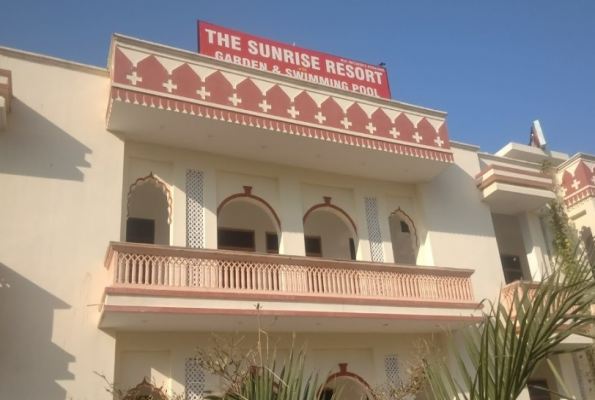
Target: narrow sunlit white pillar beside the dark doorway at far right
column 534, row 243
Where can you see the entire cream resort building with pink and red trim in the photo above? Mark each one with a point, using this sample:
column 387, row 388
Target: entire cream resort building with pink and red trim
column 146, row 205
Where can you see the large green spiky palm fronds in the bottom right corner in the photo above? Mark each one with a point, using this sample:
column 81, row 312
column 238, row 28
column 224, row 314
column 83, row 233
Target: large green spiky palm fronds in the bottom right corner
column 516, row 337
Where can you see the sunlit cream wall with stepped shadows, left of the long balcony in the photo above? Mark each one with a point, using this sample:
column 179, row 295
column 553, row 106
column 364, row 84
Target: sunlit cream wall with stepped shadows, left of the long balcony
column 61, row 189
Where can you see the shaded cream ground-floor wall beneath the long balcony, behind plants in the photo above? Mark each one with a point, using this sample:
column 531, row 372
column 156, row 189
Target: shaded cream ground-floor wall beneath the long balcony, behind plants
column 376, row 360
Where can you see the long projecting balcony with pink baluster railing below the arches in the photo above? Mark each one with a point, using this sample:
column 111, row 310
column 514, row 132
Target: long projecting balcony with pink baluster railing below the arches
column 168, row 288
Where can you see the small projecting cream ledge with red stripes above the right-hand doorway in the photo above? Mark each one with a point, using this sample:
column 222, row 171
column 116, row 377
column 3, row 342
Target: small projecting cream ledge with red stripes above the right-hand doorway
column 511, row 190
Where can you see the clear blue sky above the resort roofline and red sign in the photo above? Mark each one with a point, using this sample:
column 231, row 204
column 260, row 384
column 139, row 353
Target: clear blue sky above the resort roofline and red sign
column 494, row 66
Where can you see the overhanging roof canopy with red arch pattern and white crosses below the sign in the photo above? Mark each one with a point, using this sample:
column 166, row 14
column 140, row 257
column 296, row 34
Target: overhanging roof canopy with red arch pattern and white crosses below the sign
column 182, row 99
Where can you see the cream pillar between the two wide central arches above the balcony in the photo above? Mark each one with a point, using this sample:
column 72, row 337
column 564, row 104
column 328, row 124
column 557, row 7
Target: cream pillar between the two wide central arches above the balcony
column 291, row 215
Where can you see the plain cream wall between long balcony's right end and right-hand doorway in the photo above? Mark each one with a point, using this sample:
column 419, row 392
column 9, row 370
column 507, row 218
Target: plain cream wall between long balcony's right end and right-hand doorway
column 460, row 233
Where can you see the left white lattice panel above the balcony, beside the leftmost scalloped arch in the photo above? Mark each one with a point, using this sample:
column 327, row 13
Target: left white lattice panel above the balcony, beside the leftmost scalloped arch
column 195, row 224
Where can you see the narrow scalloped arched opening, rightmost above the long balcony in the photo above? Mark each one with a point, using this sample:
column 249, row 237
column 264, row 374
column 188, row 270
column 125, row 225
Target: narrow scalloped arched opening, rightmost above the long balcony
column 403, row 238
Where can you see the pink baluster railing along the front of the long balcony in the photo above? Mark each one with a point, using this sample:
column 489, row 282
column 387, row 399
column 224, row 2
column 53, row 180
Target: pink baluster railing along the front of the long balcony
column 225, row 272
